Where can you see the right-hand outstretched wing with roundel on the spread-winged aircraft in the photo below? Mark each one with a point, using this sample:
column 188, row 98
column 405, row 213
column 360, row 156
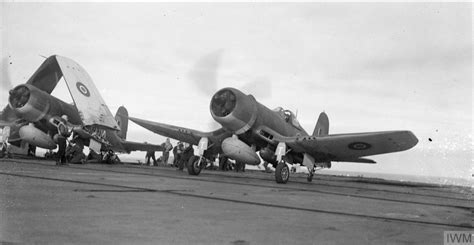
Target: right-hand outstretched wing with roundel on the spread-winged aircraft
column 351, row 147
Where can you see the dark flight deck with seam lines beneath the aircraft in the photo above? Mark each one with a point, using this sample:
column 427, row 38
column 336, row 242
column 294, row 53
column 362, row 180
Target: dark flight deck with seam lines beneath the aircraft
column 132, row 204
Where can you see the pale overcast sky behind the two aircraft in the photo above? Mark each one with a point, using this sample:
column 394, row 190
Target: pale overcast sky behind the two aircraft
column 371, row 66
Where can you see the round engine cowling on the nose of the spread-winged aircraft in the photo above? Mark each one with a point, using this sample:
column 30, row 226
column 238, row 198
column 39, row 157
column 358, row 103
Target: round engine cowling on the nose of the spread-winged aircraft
column 234, row 110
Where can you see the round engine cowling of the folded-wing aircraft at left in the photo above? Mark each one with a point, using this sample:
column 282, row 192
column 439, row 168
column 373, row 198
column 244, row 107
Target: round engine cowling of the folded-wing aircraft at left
column 29, row 103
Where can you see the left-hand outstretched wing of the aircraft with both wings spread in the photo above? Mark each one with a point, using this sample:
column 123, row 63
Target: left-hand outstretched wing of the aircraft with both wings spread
column 182, row 134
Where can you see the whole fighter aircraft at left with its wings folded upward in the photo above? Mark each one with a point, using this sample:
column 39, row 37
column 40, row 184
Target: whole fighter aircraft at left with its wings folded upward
column 33, row 114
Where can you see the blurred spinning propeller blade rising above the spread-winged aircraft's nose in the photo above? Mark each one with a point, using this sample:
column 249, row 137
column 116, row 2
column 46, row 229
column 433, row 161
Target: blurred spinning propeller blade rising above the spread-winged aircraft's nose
column 204, row 72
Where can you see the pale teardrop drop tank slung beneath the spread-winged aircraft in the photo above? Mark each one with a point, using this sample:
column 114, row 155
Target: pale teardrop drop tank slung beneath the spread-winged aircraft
column 239, row 151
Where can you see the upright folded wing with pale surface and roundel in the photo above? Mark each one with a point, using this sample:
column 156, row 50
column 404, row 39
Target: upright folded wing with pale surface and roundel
column 88, row 101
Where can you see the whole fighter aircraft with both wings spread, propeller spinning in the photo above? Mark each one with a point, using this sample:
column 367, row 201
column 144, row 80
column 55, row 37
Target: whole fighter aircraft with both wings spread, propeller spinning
column 248, row 127
